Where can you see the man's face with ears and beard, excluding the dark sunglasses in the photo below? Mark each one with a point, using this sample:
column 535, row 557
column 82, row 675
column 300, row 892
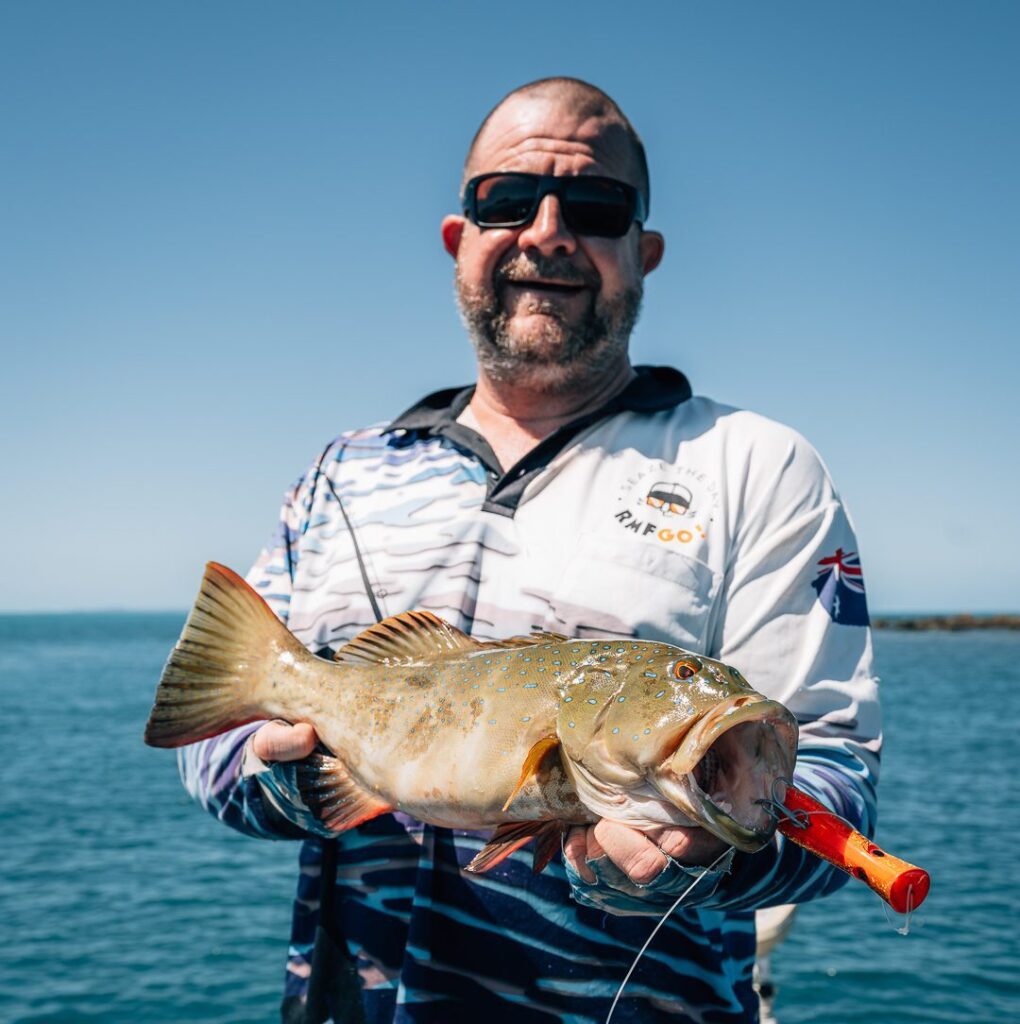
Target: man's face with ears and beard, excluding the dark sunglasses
column 543, row 306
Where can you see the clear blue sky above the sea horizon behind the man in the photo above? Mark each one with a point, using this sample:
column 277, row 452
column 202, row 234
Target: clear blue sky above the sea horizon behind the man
column 220, row 247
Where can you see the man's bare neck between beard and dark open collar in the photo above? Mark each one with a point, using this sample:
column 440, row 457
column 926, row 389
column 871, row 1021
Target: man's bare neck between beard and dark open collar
column 514, row 416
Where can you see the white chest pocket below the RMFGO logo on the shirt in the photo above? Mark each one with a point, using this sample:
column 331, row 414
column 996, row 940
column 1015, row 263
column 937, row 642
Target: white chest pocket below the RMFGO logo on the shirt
column 634, row 590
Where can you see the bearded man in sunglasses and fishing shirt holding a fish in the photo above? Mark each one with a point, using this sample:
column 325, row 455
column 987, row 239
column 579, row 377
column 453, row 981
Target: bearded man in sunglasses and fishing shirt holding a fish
column 566, row 491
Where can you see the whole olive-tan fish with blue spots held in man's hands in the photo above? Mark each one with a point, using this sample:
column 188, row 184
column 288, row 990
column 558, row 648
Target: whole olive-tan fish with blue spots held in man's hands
column 527, row 736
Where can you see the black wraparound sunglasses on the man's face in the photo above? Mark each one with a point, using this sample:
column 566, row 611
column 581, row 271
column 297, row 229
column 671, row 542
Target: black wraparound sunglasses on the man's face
column 603, row 207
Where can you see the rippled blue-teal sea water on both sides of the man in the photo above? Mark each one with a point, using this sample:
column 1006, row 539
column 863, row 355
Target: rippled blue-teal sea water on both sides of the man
column 121, row 902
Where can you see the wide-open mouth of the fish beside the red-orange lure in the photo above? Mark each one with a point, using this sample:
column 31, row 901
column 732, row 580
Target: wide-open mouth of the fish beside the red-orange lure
column 731, row 761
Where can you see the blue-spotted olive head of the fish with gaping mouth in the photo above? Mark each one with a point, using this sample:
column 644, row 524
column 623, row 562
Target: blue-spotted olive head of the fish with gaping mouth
column 657, row 735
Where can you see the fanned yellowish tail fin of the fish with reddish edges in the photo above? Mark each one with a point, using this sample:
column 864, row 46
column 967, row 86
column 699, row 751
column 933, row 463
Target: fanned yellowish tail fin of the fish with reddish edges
column 211, row 679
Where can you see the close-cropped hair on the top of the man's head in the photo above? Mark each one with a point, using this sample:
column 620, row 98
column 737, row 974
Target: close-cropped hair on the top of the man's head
column 586, row 104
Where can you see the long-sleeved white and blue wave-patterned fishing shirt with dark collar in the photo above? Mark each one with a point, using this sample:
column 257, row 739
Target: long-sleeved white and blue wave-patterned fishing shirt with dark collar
column 663, row 517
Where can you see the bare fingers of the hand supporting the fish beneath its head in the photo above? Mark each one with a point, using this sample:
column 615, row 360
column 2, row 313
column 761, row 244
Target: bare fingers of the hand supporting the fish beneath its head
column 641, row 856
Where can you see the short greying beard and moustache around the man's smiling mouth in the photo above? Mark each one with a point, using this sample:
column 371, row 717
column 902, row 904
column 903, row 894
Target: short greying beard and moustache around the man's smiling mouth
column 560, row 355
